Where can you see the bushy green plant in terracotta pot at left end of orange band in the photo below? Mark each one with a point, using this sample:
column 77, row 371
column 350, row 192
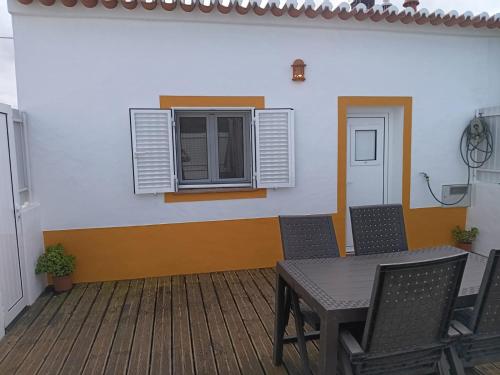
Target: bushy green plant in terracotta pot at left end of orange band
column 59, row 265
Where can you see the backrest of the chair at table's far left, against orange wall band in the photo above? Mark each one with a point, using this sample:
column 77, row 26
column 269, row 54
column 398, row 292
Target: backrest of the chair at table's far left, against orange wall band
column 311, row 236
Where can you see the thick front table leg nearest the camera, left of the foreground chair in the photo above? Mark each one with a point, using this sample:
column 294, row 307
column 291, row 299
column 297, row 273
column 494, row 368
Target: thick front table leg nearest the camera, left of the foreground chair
column 328, row 344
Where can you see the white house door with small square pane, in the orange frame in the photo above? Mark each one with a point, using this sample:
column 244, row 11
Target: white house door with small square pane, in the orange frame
column 366, row 160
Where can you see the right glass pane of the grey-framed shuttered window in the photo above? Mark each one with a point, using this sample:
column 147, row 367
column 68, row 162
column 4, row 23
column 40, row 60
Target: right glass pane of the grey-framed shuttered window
column 231, row 147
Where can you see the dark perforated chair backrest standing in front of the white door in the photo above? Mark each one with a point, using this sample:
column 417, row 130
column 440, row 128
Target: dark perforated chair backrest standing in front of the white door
column 378, row 229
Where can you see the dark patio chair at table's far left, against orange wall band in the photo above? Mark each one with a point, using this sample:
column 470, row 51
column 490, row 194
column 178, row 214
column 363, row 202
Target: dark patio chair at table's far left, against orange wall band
column 306, row 237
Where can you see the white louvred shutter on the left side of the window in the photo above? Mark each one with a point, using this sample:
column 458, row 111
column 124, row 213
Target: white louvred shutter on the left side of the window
column 153, row 151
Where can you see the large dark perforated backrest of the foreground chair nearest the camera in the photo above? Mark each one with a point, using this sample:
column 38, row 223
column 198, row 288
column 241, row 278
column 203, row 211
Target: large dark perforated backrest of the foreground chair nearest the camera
column 412, row 304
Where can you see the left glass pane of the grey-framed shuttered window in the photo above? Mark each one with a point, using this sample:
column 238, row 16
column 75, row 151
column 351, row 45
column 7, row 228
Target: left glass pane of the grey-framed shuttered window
column 194, row 153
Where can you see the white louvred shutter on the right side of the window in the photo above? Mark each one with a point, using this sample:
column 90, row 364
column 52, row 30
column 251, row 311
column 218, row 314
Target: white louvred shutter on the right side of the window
column 274, row 148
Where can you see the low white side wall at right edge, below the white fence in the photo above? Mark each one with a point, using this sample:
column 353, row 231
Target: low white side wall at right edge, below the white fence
column 484, row 214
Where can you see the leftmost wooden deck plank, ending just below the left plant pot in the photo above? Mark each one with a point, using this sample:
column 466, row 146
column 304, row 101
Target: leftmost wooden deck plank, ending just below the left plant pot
column 19, row 327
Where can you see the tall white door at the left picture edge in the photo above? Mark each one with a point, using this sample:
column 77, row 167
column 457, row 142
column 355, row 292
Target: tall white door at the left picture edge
column 11, row 285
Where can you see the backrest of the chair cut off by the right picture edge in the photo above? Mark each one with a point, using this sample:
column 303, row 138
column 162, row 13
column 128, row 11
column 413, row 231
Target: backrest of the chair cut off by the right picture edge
column 485, row 318
